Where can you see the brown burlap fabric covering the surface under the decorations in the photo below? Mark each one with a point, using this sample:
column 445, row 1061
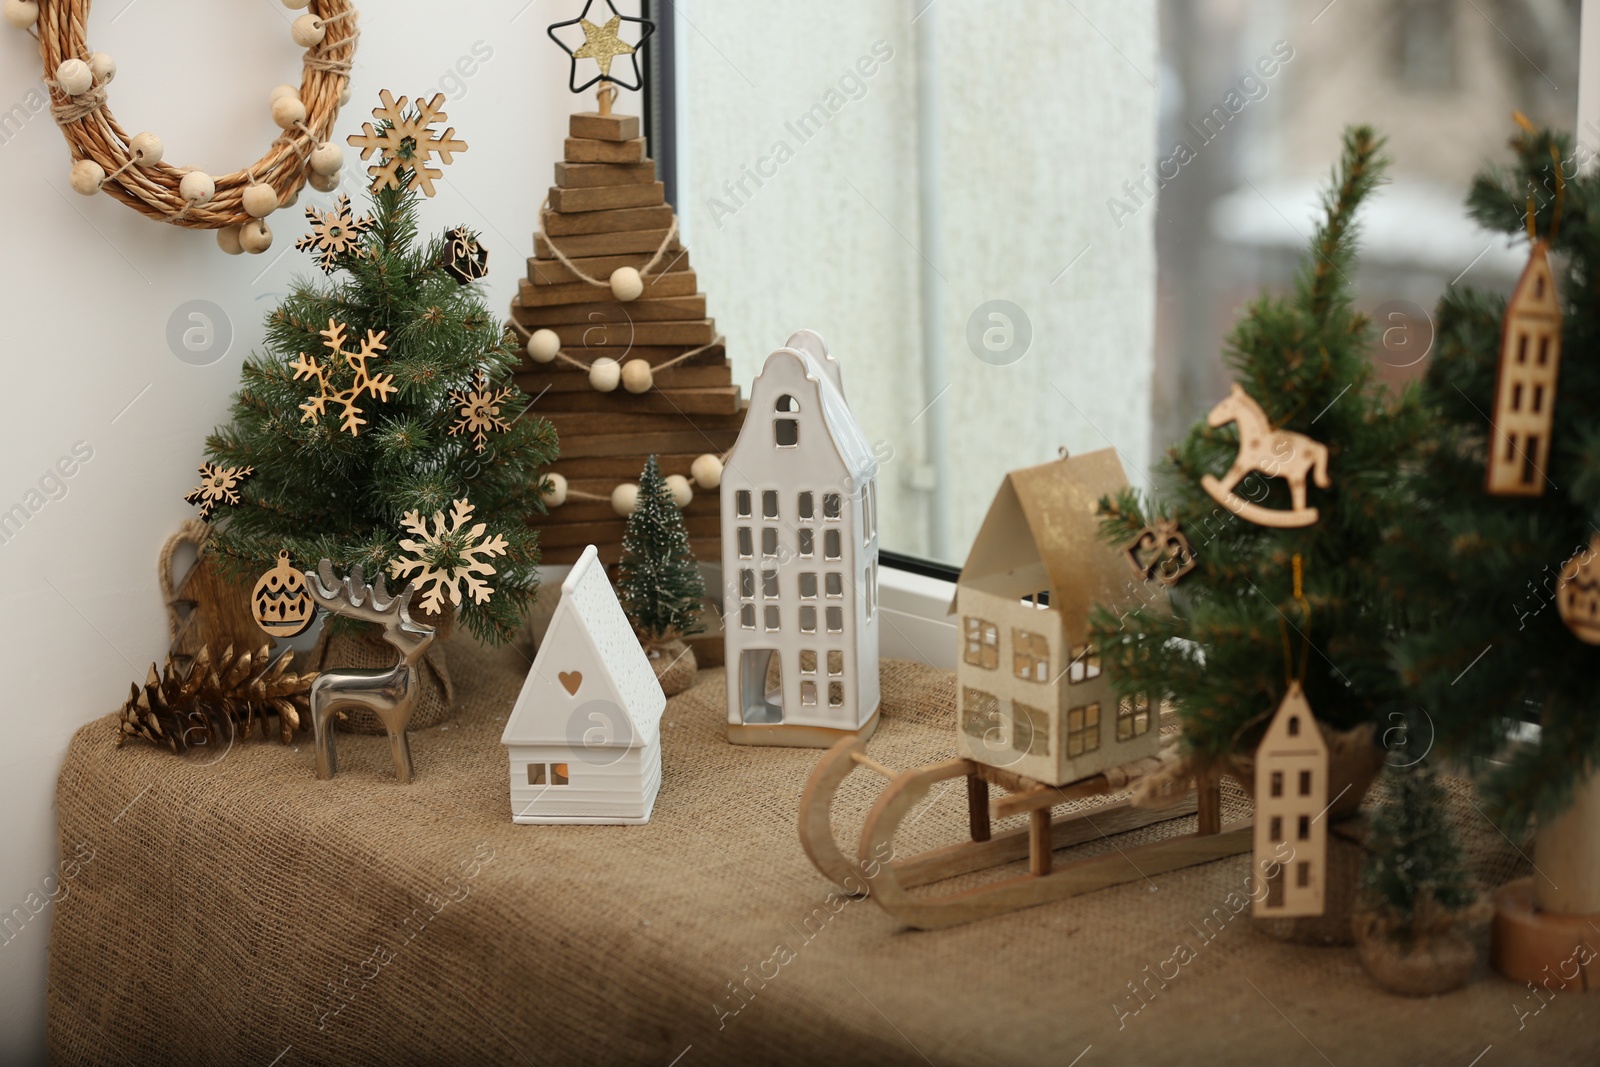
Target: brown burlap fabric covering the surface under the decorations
column 242, row 913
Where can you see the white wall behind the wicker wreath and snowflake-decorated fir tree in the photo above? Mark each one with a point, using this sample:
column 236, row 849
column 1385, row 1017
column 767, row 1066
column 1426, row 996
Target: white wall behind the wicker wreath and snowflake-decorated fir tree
column 89, row 289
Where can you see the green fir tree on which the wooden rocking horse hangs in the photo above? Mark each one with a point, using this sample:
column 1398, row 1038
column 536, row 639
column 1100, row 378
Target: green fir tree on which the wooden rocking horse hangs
column 1220, row 655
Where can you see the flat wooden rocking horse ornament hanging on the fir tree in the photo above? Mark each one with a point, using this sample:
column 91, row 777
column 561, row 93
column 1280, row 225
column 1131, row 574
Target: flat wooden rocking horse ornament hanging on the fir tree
column 1274, row 454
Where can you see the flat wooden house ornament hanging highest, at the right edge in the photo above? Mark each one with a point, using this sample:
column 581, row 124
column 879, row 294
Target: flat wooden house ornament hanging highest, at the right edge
column 1526, row 388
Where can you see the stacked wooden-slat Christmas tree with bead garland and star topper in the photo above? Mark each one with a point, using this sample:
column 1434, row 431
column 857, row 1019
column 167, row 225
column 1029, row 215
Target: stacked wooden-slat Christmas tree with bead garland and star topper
column 622, row 354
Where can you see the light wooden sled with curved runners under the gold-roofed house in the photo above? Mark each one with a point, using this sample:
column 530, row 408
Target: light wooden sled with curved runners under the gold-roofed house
column 879, row 873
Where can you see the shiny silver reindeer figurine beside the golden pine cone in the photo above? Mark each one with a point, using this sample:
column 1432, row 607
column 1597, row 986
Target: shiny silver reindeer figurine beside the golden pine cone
column 388, row 693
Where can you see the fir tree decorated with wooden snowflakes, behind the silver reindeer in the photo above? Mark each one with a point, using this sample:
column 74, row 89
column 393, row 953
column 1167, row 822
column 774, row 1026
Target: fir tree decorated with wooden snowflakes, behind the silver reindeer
column 324, row 492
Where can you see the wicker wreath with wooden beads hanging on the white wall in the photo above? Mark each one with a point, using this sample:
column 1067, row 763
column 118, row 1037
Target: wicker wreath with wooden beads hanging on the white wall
column 132, row 169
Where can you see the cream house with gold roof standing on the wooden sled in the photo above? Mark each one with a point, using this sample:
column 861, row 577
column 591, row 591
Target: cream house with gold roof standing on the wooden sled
column 1031, row 692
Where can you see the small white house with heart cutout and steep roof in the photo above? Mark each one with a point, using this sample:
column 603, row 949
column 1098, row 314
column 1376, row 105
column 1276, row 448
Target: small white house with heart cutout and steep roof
column 585, row 737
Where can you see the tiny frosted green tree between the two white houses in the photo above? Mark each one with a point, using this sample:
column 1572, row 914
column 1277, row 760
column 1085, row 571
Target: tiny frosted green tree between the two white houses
column 658, row 581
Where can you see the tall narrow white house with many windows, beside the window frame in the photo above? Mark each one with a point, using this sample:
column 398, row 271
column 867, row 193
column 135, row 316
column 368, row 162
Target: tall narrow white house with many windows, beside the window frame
column 801, row 559
